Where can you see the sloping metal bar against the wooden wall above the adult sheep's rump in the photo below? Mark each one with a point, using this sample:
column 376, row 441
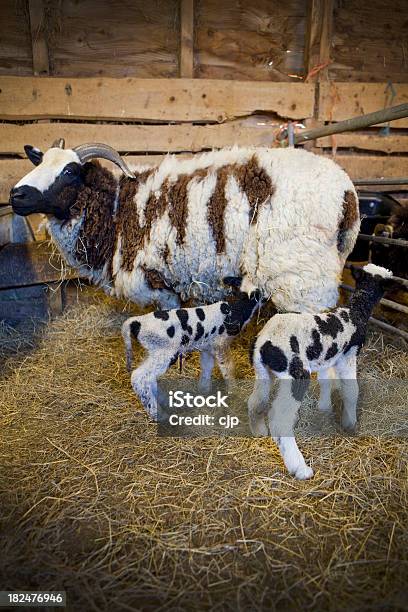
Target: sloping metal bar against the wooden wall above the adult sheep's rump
column 356, row 123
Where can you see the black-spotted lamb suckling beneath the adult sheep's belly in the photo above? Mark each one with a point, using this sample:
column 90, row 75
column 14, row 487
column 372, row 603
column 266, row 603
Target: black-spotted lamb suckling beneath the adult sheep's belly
column 167, row 334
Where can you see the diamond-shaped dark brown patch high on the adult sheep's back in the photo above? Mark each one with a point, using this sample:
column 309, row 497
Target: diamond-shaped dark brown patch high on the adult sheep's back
column 255, row 183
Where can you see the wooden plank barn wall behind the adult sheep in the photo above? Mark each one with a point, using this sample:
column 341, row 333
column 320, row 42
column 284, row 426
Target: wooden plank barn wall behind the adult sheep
column 116, row 69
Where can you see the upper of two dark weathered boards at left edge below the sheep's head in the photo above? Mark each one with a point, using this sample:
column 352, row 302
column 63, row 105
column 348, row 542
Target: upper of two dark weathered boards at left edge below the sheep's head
column 30, row 264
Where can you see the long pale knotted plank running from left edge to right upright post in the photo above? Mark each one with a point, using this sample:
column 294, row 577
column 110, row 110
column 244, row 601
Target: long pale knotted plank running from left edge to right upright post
column 150, row 99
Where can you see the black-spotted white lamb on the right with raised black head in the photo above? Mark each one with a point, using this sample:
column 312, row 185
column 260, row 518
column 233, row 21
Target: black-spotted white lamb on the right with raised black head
column 291, row 346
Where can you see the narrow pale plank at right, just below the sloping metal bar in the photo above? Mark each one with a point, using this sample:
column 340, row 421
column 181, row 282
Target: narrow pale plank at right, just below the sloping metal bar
column 394, row 143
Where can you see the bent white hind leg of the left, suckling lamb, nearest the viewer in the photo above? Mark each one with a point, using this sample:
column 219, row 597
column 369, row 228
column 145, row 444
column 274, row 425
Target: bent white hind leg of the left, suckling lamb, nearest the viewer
column 144, row 381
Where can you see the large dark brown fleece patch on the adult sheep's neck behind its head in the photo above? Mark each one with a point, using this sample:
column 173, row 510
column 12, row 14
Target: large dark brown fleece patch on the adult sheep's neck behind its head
column 95, row 200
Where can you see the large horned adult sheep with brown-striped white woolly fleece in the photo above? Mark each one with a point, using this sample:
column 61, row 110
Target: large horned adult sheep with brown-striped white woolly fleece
column 286, row 219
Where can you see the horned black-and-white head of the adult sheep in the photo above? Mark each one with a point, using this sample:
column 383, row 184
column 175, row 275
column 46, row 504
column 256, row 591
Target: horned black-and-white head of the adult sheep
column 51, row 187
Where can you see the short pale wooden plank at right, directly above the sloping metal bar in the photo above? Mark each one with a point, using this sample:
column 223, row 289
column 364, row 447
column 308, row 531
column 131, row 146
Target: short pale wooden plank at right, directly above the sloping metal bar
column 339, row 101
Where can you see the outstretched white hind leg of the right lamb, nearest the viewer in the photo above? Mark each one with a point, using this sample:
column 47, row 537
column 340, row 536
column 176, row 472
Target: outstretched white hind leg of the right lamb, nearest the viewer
column 282, row 419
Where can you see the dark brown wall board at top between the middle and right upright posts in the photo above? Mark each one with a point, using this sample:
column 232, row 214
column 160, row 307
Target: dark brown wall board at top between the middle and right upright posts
column 258, row 40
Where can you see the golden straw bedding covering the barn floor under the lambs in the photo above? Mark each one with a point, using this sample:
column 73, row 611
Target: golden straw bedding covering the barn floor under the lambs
column 94, row 502
